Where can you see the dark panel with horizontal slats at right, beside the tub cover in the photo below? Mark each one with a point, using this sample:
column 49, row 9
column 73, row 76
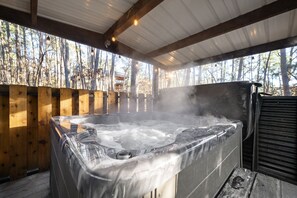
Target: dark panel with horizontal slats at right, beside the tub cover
column 277, row 138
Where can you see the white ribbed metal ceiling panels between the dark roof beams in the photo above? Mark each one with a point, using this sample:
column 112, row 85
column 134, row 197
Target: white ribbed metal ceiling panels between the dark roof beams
column 169, row 22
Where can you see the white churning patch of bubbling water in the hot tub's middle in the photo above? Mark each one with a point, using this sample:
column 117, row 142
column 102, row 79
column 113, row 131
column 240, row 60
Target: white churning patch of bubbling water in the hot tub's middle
column 140, row 135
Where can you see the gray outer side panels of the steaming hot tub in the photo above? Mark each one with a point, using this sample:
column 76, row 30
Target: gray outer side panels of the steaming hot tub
column 201, row 173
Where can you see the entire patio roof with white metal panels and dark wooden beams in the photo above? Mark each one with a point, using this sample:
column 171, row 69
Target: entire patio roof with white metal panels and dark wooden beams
column 171, row 34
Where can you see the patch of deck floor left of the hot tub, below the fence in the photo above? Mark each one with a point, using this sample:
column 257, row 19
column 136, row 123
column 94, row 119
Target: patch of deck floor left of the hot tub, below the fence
column 34, row 186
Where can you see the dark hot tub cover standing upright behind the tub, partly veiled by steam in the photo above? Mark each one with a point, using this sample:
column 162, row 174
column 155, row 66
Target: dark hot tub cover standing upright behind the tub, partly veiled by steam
column 232, row 100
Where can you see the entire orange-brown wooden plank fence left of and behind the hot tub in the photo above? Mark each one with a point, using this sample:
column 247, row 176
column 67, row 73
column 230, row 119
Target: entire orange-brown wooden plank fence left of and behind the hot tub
column 24, row 121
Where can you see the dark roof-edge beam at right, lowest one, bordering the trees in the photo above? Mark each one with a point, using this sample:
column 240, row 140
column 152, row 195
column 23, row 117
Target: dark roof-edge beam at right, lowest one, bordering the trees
column 283, row 43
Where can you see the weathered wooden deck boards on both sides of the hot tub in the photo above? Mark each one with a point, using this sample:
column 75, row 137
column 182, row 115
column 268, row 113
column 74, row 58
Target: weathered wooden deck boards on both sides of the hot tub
column 262, row 186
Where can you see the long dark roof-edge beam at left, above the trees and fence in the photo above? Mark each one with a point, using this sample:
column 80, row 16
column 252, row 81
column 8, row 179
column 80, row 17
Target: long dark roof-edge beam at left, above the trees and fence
column 70, row 32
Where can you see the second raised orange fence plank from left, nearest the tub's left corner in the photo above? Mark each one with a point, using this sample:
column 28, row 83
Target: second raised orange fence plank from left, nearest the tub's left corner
column 44, row 115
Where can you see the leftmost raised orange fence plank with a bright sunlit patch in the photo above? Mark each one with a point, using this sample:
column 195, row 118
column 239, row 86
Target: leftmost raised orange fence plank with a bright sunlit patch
column 18, row 130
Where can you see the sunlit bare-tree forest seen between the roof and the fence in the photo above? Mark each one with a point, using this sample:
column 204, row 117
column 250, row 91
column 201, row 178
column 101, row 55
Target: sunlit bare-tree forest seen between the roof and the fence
column 33, row 58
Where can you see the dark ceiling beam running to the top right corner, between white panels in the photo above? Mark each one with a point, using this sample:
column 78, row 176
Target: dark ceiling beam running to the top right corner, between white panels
column 265, row 12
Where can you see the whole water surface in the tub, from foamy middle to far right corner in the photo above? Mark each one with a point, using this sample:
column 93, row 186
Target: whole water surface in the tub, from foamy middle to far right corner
column 149, row 134
